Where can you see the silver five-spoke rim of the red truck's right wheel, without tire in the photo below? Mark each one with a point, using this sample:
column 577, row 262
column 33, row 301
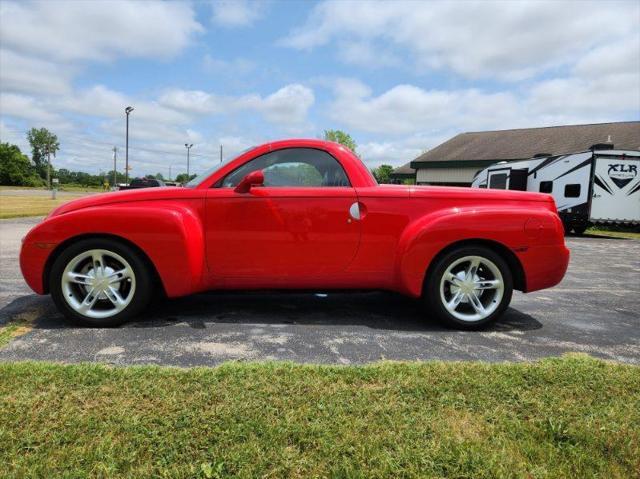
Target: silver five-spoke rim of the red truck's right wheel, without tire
column 471, row 288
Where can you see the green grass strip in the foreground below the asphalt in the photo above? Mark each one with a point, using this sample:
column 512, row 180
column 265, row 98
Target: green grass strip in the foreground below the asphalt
column 568, row 417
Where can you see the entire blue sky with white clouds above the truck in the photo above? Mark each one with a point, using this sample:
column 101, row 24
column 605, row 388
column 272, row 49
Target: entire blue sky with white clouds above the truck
column 400, row 77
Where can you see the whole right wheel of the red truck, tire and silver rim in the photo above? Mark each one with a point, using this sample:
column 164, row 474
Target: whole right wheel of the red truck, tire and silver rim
column 469, row 287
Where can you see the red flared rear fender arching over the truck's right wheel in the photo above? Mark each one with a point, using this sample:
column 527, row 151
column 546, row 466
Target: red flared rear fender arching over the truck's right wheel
column 424, row 238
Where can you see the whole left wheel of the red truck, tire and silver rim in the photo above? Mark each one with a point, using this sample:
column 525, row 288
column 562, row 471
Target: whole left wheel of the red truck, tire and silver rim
column 100, row 282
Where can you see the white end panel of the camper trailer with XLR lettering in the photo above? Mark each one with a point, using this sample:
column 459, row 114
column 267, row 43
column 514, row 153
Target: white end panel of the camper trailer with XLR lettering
column 616, row 190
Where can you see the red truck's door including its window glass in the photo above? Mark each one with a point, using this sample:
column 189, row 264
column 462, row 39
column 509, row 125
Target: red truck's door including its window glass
column 298, row 226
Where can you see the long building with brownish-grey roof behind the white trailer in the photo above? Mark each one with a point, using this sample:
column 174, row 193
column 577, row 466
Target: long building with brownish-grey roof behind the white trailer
column 456, row 161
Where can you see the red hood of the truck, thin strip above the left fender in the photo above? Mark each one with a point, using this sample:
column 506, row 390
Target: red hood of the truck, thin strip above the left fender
column 127, row 196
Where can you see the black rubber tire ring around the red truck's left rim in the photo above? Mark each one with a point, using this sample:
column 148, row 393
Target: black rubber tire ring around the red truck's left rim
column 141, row 296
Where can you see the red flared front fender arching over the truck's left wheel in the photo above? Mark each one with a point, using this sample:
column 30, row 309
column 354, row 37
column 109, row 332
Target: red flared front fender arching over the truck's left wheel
column 171, row 235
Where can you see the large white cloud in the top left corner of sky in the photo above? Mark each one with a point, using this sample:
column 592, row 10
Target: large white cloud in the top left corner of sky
column 99, row 30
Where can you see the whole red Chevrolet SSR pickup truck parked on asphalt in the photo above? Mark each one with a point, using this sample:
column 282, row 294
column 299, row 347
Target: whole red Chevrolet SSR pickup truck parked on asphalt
column 296, row 214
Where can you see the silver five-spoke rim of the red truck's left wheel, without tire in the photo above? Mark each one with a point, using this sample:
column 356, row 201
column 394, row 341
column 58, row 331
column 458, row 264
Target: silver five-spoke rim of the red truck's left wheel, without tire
column 98, row 283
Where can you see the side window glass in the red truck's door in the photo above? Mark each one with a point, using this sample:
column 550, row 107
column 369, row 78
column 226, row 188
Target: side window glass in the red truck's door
column 293, row 167
